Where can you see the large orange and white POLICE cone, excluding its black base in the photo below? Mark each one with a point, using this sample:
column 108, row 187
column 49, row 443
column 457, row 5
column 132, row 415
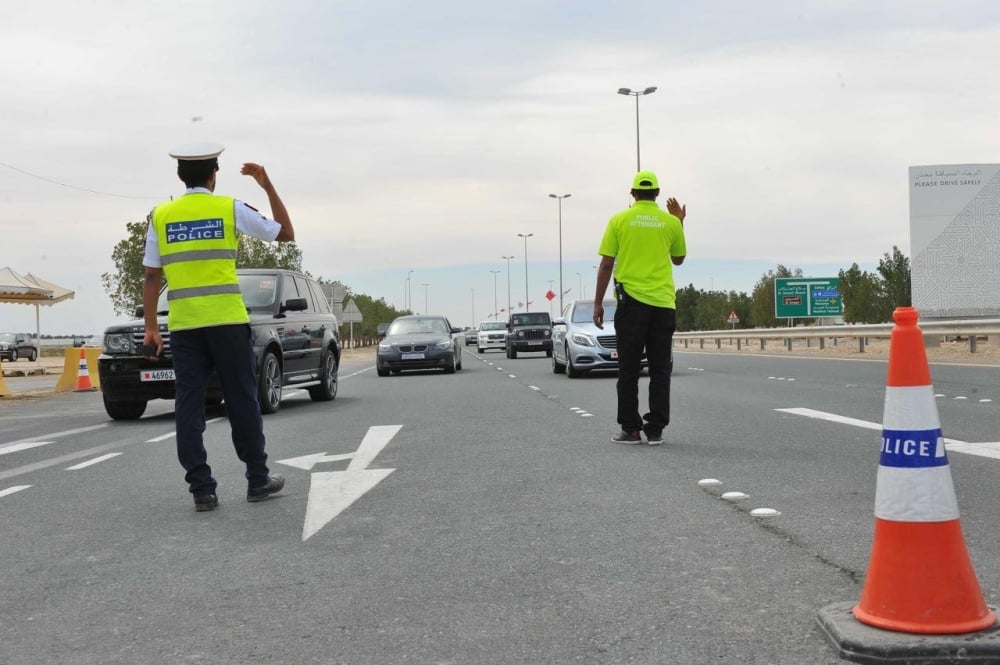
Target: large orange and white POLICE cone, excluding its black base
column 920, row 578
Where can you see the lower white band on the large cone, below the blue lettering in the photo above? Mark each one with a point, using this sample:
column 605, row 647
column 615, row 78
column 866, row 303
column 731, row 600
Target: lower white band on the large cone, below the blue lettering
column 915, row 495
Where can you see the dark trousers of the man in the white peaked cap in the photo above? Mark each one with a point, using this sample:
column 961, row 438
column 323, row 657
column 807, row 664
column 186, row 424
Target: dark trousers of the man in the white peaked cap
column 229, row 351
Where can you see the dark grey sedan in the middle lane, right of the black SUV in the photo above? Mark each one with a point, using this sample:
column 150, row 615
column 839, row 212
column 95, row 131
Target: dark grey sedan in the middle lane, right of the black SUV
column 419, row 341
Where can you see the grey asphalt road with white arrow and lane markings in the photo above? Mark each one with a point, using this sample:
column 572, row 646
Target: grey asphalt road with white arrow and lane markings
column 481, row 517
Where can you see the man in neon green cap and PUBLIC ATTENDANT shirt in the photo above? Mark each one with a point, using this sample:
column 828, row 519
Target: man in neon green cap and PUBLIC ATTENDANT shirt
column 639, row 248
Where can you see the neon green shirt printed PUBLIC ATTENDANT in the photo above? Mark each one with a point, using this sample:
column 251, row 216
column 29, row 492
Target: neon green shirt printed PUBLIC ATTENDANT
column 642, row 239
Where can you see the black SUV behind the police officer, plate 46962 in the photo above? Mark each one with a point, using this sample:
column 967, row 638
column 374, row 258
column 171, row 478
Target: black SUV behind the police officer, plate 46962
column 295, row 338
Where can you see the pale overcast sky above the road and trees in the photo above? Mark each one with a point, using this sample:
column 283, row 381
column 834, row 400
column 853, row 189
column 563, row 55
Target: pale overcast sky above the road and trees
column 425, row 136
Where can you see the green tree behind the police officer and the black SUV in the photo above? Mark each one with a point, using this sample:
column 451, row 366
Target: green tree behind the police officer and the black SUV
column 124, row 285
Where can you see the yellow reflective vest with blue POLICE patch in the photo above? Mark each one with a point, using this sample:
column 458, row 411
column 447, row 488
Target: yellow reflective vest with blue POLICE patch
column 197, row 237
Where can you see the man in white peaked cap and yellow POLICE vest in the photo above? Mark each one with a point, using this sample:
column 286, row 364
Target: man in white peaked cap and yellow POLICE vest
column 192, row 242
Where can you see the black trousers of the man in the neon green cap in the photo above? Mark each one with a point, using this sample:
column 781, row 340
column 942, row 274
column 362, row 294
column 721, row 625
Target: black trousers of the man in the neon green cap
column 640, row 326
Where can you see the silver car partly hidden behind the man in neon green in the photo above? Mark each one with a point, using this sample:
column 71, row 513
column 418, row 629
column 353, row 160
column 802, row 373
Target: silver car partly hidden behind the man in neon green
column 579, row 346
